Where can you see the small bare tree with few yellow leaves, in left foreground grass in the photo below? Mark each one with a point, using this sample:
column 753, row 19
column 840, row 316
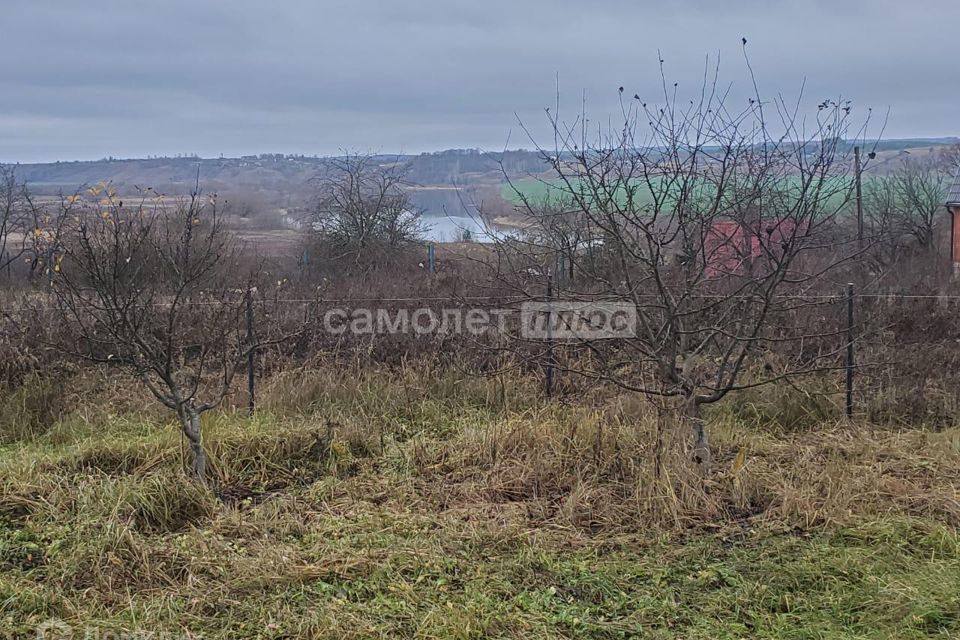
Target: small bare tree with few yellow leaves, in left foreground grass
column 151, row 290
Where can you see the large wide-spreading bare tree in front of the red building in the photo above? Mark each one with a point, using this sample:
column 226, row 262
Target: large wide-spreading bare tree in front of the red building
column 713, row 221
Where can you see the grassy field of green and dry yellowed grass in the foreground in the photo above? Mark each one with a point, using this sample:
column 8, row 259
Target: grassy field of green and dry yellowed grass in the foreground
column 452, row 507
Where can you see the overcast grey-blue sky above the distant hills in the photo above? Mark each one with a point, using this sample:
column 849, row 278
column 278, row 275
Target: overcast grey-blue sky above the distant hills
column 127, row 78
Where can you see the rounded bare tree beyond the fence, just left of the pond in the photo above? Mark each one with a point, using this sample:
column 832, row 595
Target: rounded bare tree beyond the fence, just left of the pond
column 363, row 207
